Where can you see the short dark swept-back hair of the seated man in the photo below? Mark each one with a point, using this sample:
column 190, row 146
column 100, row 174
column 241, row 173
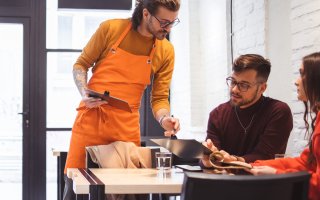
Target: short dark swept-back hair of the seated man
column 253, row 61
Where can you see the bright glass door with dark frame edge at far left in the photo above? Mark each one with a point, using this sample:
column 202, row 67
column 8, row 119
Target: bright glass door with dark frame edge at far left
column 13, row 109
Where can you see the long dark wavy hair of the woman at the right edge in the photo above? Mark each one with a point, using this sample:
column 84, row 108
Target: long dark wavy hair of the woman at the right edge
column 311, row 85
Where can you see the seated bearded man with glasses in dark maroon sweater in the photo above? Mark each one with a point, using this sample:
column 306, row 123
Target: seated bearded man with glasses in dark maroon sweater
column 250, row 126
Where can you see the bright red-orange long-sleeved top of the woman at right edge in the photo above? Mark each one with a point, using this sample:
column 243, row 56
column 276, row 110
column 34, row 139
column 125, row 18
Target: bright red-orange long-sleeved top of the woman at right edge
column 287, row 165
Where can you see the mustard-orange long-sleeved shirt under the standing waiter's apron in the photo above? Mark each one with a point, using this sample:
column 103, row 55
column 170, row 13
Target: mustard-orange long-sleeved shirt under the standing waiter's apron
column 162, row 63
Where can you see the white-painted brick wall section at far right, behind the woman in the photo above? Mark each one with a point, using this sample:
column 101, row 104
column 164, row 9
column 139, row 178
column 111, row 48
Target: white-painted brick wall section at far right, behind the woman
column 305, row 30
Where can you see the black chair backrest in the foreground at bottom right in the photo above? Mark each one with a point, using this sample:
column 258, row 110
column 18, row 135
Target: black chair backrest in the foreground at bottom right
column 202, row 186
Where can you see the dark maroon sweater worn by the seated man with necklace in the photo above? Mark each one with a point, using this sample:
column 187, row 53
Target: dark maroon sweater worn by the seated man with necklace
column 267, row 135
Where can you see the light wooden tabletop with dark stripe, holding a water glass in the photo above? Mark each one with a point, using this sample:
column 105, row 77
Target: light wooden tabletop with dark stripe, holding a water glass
column 97, row 181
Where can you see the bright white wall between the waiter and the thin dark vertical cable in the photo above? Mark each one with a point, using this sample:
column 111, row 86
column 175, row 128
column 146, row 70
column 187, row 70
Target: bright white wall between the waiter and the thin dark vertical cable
column 198, row 83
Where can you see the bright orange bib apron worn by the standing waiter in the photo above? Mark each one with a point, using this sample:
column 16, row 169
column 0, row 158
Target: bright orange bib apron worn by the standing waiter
column 125, row 76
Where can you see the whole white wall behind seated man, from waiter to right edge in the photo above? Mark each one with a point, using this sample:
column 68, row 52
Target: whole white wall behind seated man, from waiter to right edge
column 283, row 31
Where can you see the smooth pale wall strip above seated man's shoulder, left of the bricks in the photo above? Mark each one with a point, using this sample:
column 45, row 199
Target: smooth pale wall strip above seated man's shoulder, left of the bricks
column 278, row 49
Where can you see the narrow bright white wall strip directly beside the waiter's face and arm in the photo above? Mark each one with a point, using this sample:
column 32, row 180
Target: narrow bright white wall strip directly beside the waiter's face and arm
column 180, row 86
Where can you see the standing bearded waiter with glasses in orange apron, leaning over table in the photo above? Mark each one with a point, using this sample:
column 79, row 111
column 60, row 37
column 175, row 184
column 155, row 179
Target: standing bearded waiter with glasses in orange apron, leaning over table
column 125, row 55
